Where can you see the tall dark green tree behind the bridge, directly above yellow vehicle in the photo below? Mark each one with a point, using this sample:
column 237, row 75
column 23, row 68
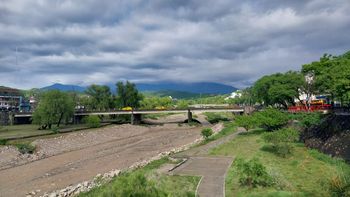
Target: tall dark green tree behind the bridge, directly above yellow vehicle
column 128, row 95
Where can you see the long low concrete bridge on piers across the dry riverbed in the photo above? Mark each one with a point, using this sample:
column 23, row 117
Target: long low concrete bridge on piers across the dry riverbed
column 136, row 115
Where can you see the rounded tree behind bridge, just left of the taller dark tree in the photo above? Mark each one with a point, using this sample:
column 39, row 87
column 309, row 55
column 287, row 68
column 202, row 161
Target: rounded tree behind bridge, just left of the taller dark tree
column 100, row 97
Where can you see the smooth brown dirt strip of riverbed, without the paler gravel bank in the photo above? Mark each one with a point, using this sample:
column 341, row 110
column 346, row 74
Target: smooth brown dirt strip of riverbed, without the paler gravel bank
column 75, row 166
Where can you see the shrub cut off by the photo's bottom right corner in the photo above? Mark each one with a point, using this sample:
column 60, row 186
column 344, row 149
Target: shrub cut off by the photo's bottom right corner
column 340, row 185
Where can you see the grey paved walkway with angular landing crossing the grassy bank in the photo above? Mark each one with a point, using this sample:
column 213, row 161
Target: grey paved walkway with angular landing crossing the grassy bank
column 212, row 169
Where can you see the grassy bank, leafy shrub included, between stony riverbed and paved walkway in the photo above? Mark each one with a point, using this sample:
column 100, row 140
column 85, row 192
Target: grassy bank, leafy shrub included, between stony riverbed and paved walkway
column 147, row 181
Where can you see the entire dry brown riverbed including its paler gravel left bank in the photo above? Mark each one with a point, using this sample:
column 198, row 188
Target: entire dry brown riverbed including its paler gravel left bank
column 77, row 157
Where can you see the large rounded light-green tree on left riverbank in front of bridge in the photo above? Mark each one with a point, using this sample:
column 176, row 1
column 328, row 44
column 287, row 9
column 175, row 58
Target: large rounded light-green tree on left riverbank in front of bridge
column 54, row 107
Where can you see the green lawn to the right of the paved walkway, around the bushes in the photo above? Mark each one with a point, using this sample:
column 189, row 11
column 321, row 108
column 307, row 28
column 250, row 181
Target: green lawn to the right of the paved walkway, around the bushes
column 304, row 173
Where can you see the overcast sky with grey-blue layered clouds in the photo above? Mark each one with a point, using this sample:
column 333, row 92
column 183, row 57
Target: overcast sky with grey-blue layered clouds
column 104, row 41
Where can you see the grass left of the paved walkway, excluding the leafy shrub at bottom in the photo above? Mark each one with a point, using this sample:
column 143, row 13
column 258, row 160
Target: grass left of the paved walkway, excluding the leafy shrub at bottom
column 171, row 185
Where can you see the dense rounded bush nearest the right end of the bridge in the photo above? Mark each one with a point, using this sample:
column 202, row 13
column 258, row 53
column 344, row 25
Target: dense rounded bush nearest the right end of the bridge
column 271, row 119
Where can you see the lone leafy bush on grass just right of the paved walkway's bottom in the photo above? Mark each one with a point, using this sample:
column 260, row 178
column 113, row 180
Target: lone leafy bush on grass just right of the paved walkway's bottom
column 252, row 173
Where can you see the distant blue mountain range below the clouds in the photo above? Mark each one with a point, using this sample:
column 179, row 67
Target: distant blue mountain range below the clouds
column 193, row 88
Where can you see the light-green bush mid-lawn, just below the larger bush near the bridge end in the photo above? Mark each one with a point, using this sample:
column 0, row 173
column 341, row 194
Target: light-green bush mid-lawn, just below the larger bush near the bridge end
column 281, row 140
